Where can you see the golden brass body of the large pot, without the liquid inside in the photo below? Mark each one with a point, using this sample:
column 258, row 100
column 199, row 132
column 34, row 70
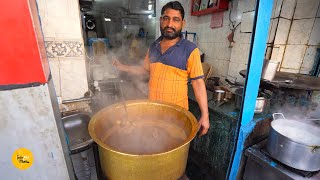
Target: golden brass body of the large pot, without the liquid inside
column 166, row 165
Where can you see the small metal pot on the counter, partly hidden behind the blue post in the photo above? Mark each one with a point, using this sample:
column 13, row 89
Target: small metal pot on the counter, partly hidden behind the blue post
column 262, row 102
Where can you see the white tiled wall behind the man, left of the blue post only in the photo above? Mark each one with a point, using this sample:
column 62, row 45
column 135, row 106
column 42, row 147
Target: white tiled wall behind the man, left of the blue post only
column 227, row 59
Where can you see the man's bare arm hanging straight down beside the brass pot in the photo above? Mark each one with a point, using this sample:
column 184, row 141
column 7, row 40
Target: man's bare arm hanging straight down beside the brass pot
column 200, row 92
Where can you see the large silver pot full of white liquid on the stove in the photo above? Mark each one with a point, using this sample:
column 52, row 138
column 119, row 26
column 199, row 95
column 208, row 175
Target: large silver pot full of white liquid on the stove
column 294, row 143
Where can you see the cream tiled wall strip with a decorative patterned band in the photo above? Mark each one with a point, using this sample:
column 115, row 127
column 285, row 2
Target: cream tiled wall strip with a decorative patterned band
column 61, row 26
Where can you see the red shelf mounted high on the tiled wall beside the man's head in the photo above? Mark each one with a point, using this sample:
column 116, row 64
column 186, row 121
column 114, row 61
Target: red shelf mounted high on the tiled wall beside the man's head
column 220, row 6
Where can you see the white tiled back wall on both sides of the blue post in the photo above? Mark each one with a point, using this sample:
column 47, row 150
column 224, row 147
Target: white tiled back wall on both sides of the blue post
column 293, row 38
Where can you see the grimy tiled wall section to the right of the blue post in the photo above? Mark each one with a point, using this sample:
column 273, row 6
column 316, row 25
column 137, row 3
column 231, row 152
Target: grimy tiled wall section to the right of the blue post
column 294, row 34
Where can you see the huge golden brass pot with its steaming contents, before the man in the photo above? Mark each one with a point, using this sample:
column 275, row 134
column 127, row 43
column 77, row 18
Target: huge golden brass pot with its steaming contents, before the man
column 117, row 162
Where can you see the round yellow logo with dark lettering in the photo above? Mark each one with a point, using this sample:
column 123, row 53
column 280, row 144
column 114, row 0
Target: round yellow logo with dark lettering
column 22, row 158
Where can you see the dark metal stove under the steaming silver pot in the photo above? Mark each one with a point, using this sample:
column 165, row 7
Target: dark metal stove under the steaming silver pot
column 261, row 166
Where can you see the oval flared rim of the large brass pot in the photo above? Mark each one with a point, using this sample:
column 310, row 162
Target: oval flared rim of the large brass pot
column 194, row 130
